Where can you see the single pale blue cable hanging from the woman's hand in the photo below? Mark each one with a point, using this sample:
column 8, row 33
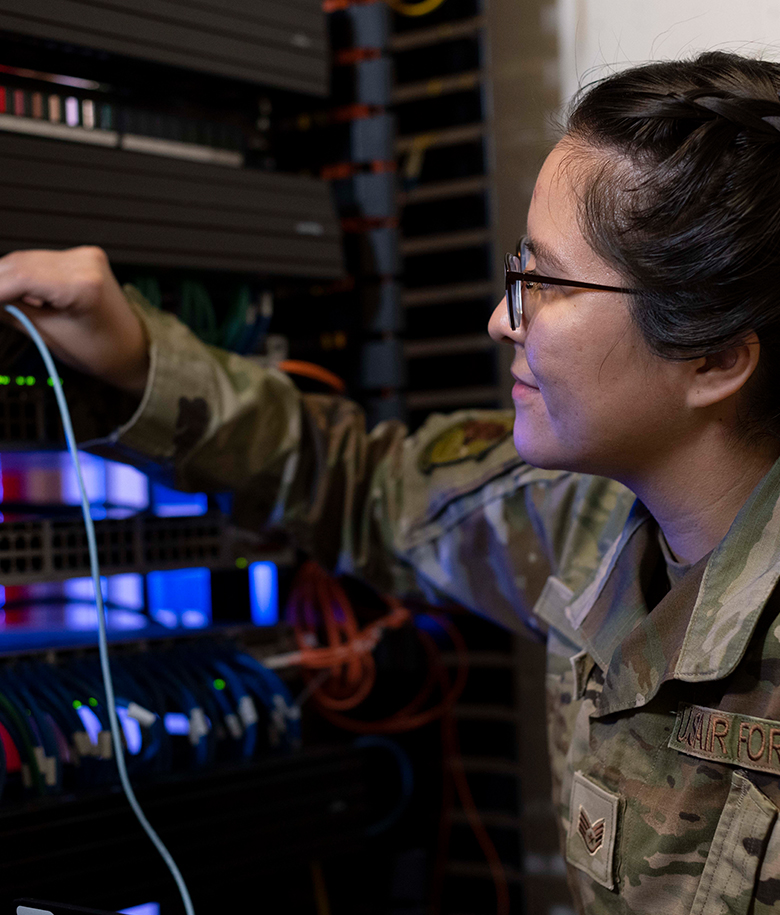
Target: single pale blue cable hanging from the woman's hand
column 102, row 634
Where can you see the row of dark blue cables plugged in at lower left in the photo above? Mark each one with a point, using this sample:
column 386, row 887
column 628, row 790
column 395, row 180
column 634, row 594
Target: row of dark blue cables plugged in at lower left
column 182, row 708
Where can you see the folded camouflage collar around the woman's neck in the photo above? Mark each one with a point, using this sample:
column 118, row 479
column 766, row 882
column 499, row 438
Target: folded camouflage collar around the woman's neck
column 700, row 630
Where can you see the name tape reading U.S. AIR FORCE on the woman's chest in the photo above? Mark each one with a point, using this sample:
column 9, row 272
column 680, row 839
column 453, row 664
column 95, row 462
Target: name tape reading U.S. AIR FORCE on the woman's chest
column 726, row 737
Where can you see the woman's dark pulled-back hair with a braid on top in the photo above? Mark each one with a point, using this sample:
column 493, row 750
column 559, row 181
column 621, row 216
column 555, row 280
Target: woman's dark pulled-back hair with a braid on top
column 685, row 204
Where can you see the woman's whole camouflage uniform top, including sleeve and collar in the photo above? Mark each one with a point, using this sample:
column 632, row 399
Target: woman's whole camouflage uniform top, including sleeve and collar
column 663, row 704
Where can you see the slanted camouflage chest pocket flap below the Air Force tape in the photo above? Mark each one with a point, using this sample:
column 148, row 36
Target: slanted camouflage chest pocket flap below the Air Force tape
column 728, row 881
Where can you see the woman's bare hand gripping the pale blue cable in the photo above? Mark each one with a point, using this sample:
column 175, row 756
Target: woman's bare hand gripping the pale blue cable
column 76, row 304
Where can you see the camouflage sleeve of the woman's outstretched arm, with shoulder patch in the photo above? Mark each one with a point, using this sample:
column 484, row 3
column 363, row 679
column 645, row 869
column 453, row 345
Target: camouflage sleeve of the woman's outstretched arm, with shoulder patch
column 450, row 512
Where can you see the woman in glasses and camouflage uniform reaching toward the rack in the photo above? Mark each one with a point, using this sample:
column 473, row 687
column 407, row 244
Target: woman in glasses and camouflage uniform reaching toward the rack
column 643, row 313
